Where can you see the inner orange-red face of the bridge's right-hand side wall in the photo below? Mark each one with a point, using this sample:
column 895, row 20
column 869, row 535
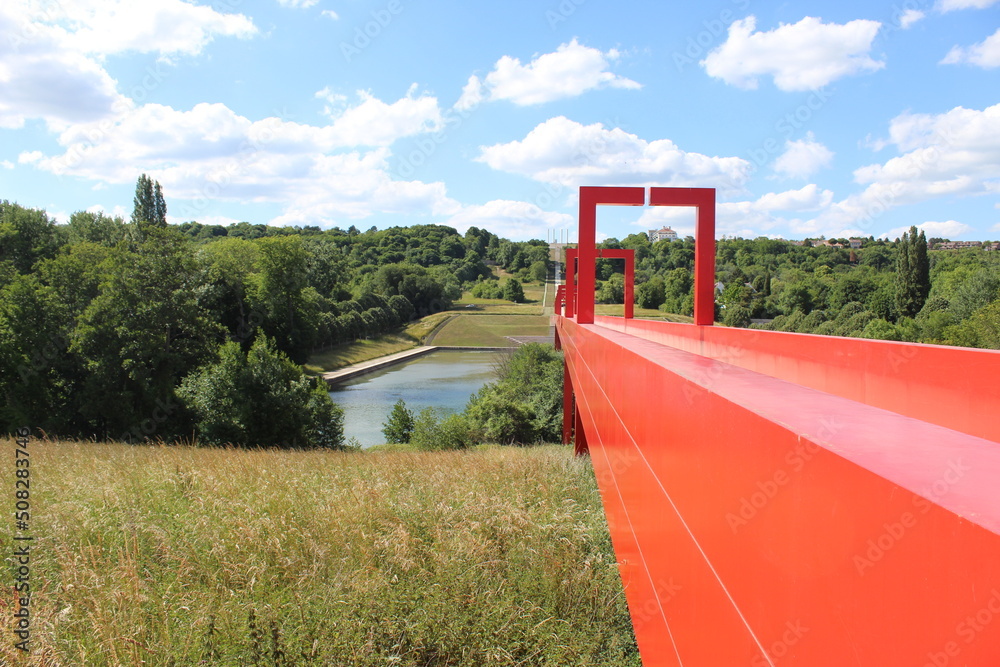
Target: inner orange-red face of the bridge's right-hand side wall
column 948, row 386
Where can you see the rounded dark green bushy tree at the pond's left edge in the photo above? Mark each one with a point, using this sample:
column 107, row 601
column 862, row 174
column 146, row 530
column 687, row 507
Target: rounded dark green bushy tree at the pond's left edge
column 261, row 399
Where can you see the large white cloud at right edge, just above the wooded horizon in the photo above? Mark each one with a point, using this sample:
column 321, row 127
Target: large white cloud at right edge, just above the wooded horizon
column 954, row 153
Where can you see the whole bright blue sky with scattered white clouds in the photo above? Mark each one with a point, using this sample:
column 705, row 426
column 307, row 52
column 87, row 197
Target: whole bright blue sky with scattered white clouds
column 809, row 118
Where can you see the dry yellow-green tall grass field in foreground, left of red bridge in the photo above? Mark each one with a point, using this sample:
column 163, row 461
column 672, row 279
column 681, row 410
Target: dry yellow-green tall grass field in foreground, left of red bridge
column 186, row 556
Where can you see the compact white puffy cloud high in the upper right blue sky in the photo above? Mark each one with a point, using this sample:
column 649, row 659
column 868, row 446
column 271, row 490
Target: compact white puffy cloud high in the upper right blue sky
column 802, row 56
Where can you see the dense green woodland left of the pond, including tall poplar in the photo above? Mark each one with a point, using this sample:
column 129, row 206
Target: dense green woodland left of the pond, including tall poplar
column 142, row 330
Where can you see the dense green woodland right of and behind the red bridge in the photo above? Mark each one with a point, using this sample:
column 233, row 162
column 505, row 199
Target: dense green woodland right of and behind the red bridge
column 890, row 290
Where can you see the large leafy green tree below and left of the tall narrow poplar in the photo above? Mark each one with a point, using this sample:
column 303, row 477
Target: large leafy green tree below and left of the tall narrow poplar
column 140, row 335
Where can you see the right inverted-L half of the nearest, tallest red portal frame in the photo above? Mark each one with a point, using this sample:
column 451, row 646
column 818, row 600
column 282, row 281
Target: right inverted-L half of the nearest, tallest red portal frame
column 703, row 199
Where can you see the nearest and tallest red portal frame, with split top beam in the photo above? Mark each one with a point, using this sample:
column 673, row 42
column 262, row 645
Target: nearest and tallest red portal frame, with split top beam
column 702, row 199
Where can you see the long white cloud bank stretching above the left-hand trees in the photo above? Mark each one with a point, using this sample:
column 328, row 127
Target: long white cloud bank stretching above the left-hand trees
column 320, row 173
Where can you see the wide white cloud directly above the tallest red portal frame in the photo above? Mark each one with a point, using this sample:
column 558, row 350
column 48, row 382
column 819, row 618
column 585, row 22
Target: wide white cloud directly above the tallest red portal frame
column 564, row 152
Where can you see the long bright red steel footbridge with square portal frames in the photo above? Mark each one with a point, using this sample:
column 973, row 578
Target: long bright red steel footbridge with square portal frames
column 779, row 498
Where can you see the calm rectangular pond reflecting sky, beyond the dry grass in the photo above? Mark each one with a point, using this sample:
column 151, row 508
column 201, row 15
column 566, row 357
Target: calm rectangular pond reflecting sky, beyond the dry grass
column 445, row 380
